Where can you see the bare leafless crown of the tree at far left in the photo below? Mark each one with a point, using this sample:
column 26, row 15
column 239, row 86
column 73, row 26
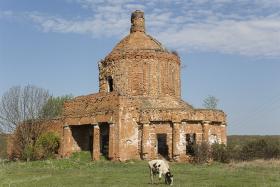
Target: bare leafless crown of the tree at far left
column 19, row 105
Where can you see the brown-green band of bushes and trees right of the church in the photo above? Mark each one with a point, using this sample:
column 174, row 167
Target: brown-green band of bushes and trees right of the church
column 242, row 148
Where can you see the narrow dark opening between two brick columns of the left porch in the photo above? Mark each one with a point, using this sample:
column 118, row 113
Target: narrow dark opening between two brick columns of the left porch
column 104, row 139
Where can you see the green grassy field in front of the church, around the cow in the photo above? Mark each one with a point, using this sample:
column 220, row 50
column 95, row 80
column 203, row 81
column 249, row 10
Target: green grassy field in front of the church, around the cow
column 79, row 171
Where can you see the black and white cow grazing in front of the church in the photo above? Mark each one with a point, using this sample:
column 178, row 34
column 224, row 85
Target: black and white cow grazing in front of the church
column 160, row 167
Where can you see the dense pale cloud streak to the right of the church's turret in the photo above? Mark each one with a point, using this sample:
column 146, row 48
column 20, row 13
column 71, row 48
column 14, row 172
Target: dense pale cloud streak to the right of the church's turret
column 251, row 38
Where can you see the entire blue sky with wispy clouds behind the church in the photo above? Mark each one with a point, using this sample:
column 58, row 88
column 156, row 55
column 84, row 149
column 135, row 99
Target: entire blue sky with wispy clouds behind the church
column 229, row 49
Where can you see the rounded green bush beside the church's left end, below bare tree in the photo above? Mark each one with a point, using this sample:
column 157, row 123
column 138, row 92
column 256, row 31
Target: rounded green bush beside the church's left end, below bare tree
column 47, row 145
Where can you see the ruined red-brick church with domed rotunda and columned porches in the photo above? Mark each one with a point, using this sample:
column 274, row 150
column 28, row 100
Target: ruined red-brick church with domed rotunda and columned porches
column 138, row 112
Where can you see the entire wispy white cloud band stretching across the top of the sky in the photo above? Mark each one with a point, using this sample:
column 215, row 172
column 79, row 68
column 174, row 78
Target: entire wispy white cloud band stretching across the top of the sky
column 246, row 27
